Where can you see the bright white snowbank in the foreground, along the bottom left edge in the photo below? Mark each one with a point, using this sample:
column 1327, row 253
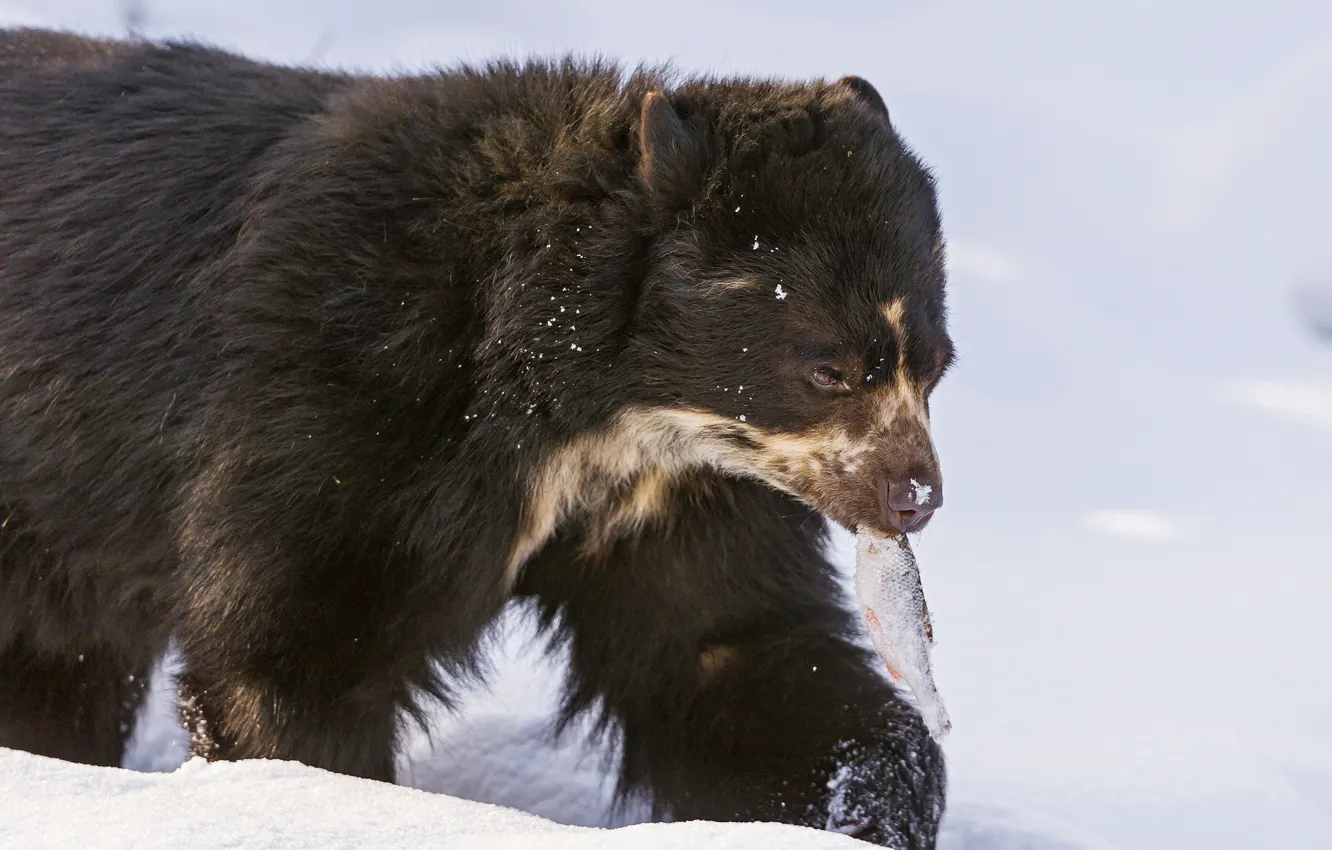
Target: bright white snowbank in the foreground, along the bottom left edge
column 268, row 804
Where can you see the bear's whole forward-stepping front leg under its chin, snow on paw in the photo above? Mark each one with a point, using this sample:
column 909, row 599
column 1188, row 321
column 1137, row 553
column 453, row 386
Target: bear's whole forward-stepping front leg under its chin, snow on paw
column 719, row 641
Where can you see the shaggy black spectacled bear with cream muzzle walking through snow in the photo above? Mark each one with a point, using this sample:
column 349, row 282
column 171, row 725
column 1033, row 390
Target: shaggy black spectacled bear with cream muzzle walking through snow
column 315, row 372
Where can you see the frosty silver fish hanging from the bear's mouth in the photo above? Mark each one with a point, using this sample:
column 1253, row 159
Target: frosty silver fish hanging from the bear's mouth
column 888, row 587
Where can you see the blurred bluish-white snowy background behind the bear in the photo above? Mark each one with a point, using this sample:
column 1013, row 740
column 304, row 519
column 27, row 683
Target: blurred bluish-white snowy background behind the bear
column 1132, row 580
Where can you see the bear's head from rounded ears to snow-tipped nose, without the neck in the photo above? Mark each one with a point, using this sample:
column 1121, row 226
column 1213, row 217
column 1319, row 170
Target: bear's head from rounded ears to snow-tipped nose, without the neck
column 793, row 323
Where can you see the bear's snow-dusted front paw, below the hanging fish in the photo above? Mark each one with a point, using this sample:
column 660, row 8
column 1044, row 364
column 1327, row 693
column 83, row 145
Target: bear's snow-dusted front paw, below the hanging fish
column 791, row 727
